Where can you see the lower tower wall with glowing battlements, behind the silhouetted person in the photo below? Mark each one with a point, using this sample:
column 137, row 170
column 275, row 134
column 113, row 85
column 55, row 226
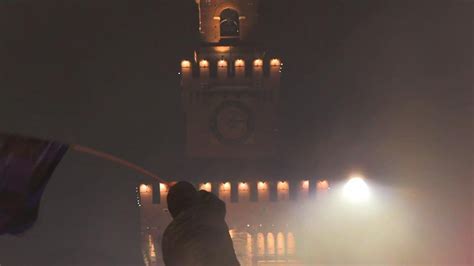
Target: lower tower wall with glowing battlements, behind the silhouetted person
column 259, row 215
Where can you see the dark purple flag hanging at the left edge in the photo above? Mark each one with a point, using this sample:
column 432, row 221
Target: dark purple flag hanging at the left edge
column 26, row 165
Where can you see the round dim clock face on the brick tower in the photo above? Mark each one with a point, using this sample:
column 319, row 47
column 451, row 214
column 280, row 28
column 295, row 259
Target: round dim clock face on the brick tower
column 232, row 122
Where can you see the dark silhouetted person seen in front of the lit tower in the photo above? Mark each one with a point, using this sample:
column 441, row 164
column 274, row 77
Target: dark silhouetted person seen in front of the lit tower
column 198, row 234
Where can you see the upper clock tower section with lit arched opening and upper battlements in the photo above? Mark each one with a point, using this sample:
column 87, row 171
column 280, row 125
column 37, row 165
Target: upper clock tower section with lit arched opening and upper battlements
column 229, row 90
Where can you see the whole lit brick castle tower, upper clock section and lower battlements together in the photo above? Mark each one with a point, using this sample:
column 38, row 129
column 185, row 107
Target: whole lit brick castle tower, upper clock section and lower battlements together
column 229, row 95
